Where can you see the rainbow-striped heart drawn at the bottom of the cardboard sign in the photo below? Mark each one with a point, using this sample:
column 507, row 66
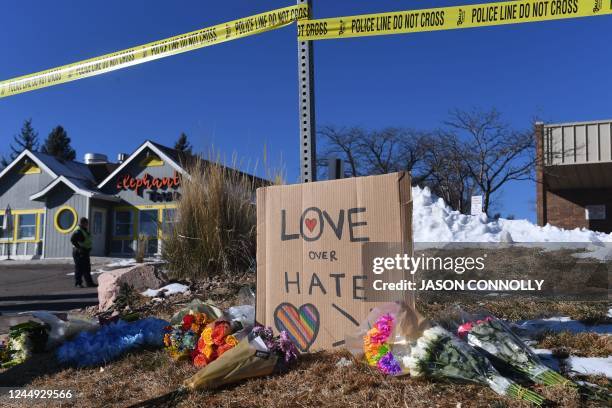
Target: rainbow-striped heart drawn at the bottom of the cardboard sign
column 301, row 324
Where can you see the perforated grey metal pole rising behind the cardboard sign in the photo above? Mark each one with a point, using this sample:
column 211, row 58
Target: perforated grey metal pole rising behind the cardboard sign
column 308, row 153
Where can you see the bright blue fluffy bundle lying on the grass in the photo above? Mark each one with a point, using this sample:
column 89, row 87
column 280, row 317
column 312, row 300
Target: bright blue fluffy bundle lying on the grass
column 111, row 341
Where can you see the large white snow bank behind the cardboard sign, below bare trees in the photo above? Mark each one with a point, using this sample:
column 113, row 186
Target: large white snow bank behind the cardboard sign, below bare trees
column 434, row 221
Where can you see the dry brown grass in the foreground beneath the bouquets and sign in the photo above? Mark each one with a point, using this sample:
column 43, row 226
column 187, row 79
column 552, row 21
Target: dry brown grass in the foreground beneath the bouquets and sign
column 148, row 378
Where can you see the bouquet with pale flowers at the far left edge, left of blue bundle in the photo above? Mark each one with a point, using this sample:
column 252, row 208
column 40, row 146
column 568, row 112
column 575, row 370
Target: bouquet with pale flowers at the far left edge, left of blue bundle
column 24, row 339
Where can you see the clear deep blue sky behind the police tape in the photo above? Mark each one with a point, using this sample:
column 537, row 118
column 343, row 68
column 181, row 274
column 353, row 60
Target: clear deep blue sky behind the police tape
column 241, row 97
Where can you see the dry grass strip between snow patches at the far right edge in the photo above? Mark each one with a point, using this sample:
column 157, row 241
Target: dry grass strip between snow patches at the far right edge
column 580, row 344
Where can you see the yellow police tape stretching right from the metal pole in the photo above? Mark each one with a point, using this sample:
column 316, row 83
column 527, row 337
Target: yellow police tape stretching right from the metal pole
column 448, row 18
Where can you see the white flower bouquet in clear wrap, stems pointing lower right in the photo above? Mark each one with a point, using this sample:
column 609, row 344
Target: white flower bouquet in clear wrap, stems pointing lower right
column 440, row 354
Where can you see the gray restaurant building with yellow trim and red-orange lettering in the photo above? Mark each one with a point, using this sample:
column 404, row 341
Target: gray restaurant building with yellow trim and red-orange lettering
column 42, row 199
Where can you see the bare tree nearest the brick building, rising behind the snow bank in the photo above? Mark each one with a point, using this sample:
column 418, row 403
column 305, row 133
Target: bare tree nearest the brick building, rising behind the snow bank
column 492, row 151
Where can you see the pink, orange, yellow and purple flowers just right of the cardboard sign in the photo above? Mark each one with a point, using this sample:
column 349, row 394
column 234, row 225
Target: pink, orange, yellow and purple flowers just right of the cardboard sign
column 377, row 349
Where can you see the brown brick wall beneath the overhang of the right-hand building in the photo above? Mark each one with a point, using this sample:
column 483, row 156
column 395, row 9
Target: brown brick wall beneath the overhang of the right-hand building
column 566, row 208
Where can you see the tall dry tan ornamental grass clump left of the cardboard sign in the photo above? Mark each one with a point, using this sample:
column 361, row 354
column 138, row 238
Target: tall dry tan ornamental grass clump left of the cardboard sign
column 216, row 221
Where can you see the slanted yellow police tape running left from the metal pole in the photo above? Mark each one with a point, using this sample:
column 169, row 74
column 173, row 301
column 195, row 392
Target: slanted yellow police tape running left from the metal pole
column 204, row 37
